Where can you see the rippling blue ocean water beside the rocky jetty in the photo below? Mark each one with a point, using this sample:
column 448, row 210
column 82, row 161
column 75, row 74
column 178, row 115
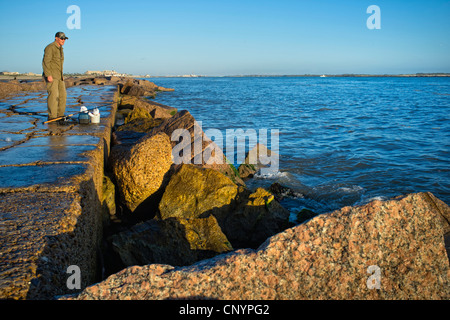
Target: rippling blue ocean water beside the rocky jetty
column 342, row 141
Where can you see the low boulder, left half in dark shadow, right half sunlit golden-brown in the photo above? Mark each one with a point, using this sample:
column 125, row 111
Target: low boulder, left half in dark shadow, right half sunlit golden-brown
column 171, row 241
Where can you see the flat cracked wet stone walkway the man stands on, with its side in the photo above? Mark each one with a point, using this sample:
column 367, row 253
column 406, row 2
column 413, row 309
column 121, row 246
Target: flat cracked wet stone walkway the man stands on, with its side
column 50, row 191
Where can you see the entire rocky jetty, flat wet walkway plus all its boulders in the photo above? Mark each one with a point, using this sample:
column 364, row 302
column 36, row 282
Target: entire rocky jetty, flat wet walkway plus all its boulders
column 138, row 206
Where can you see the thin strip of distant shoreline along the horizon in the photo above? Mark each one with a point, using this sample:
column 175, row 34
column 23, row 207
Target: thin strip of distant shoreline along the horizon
column 416, row 75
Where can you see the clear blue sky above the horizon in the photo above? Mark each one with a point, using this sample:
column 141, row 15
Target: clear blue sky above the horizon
column 211, row 37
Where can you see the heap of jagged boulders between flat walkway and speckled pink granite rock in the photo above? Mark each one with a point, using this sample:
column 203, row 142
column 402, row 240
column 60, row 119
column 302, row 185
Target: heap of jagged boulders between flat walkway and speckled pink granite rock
column 180, row 213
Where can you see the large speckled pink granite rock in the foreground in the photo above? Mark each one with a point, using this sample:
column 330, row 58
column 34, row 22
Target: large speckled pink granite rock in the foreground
column 383, row 250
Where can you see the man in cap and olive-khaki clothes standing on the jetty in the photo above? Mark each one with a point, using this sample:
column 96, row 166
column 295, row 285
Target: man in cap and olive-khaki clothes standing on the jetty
column 52, row 64
